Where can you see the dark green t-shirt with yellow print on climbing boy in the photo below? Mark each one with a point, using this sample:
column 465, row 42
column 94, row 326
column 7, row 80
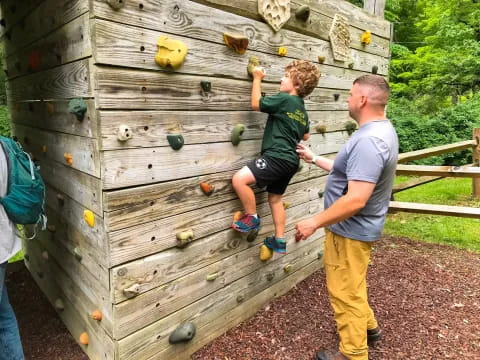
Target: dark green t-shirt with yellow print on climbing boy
column 287, row 123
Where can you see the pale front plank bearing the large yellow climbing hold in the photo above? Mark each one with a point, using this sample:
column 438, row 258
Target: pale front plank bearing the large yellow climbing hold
column 128, row 46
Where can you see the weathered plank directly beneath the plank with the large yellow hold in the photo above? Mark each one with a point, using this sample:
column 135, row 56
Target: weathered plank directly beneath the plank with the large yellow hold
column 150, row 90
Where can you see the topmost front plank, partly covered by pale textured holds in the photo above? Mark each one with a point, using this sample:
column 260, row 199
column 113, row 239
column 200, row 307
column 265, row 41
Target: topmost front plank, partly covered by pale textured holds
column 318, row 24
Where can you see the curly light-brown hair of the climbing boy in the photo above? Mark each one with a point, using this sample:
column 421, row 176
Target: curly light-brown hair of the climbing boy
column 304, row 75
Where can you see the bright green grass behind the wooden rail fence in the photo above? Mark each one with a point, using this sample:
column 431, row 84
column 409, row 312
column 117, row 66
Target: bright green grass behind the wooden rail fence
column 459, row 232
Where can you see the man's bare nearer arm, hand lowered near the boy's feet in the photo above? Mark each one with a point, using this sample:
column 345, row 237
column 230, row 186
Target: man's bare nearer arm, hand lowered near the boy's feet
column 346, row 206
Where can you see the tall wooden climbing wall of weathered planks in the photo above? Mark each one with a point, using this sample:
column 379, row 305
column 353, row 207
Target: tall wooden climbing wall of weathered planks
column 141, row 191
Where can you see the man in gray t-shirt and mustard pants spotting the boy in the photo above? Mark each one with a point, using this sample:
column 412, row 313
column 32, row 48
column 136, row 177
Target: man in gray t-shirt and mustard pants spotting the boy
column 356, row 199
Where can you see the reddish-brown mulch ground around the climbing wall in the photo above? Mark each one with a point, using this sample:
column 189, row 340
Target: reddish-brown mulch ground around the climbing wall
column 426, row 298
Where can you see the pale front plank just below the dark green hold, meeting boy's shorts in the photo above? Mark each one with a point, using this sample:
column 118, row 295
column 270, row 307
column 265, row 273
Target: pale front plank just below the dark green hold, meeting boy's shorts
column 143, row 166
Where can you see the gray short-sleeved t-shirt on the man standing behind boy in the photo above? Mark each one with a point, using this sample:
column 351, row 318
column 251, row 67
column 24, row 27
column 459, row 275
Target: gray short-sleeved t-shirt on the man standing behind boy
column 369, row 155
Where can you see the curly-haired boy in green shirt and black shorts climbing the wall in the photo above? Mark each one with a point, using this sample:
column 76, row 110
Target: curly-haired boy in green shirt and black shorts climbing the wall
column 286, row 126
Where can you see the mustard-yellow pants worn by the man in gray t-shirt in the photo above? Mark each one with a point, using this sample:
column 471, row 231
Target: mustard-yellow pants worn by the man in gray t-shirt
column 346, row 262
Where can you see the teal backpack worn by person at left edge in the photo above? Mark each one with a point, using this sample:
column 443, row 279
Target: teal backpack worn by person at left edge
column 25, row 199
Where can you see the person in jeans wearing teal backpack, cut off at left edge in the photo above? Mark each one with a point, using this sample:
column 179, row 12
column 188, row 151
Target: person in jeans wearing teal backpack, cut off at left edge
column 10, row 244
